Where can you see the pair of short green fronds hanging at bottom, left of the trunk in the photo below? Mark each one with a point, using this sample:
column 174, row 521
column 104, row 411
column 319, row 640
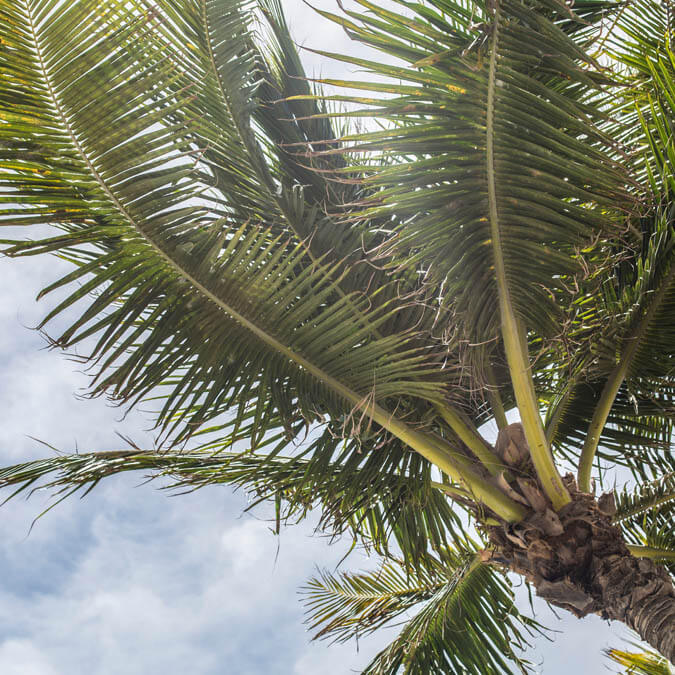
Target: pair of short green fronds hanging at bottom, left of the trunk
column 456, row 628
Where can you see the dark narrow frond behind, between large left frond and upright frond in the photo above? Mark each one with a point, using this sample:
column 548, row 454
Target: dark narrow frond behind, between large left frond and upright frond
column 292, row 115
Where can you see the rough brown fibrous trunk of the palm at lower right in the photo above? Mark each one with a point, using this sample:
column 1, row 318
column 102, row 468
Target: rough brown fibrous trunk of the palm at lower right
column 577, row 560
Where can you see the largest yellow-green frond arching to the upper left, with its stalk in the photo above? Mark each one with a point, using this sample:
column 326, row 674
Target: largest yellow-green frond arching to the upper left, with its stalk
column 216, row 297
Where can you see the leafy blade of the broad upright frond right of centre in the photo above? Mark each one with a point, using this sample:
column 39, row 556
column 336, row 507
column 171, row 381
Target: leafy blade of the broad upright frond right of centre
column 446, row 98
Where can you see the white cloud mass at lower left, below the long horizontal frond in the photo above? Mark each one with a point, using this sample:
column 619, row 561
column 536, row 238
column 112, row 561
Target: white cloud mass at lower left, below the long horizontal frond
column 165, row 586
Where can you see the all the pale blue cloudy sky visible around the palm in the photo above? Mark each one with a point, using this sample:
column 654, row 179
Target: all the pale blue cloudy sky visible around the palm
column 131, row 580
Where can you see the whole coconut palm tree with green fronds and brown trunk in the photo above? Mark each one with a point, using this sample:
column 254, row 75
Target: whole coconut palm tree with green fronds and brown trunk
column 328, row 316
